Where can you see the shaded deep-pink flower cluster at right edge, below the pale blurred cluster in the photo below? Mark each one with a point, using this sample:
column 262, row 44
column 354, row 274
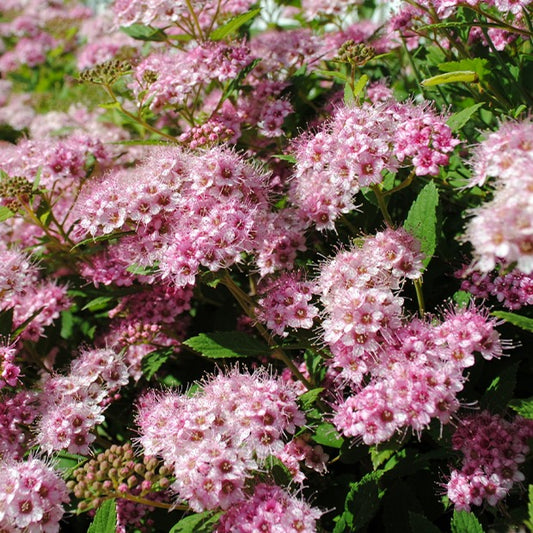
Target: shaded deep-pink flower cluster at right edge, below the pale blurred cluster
column 513, row 289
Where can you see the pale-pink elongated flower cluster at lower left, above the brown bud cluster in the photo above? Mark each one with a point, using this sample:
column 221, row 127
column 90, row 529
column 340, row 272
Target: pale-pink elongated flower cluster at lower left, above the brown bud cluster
column 72, row 405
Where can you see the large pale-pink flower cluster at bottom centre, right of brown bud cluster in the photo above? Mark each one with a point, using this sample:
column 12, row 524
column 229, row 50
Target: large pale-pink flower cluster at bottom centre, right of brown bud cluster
column 215, row 439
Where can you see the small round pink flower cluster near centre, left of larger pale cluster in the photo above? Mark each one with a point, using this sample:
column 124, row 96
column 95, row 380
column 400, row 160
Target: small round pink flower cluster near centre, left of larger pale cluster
column 285, row 303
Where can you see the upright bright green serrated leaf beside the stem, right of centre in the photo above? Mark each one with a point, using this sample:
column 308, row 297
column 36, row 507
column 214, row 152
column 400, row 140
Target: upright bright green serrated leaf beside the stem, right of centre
column 421, row 221
